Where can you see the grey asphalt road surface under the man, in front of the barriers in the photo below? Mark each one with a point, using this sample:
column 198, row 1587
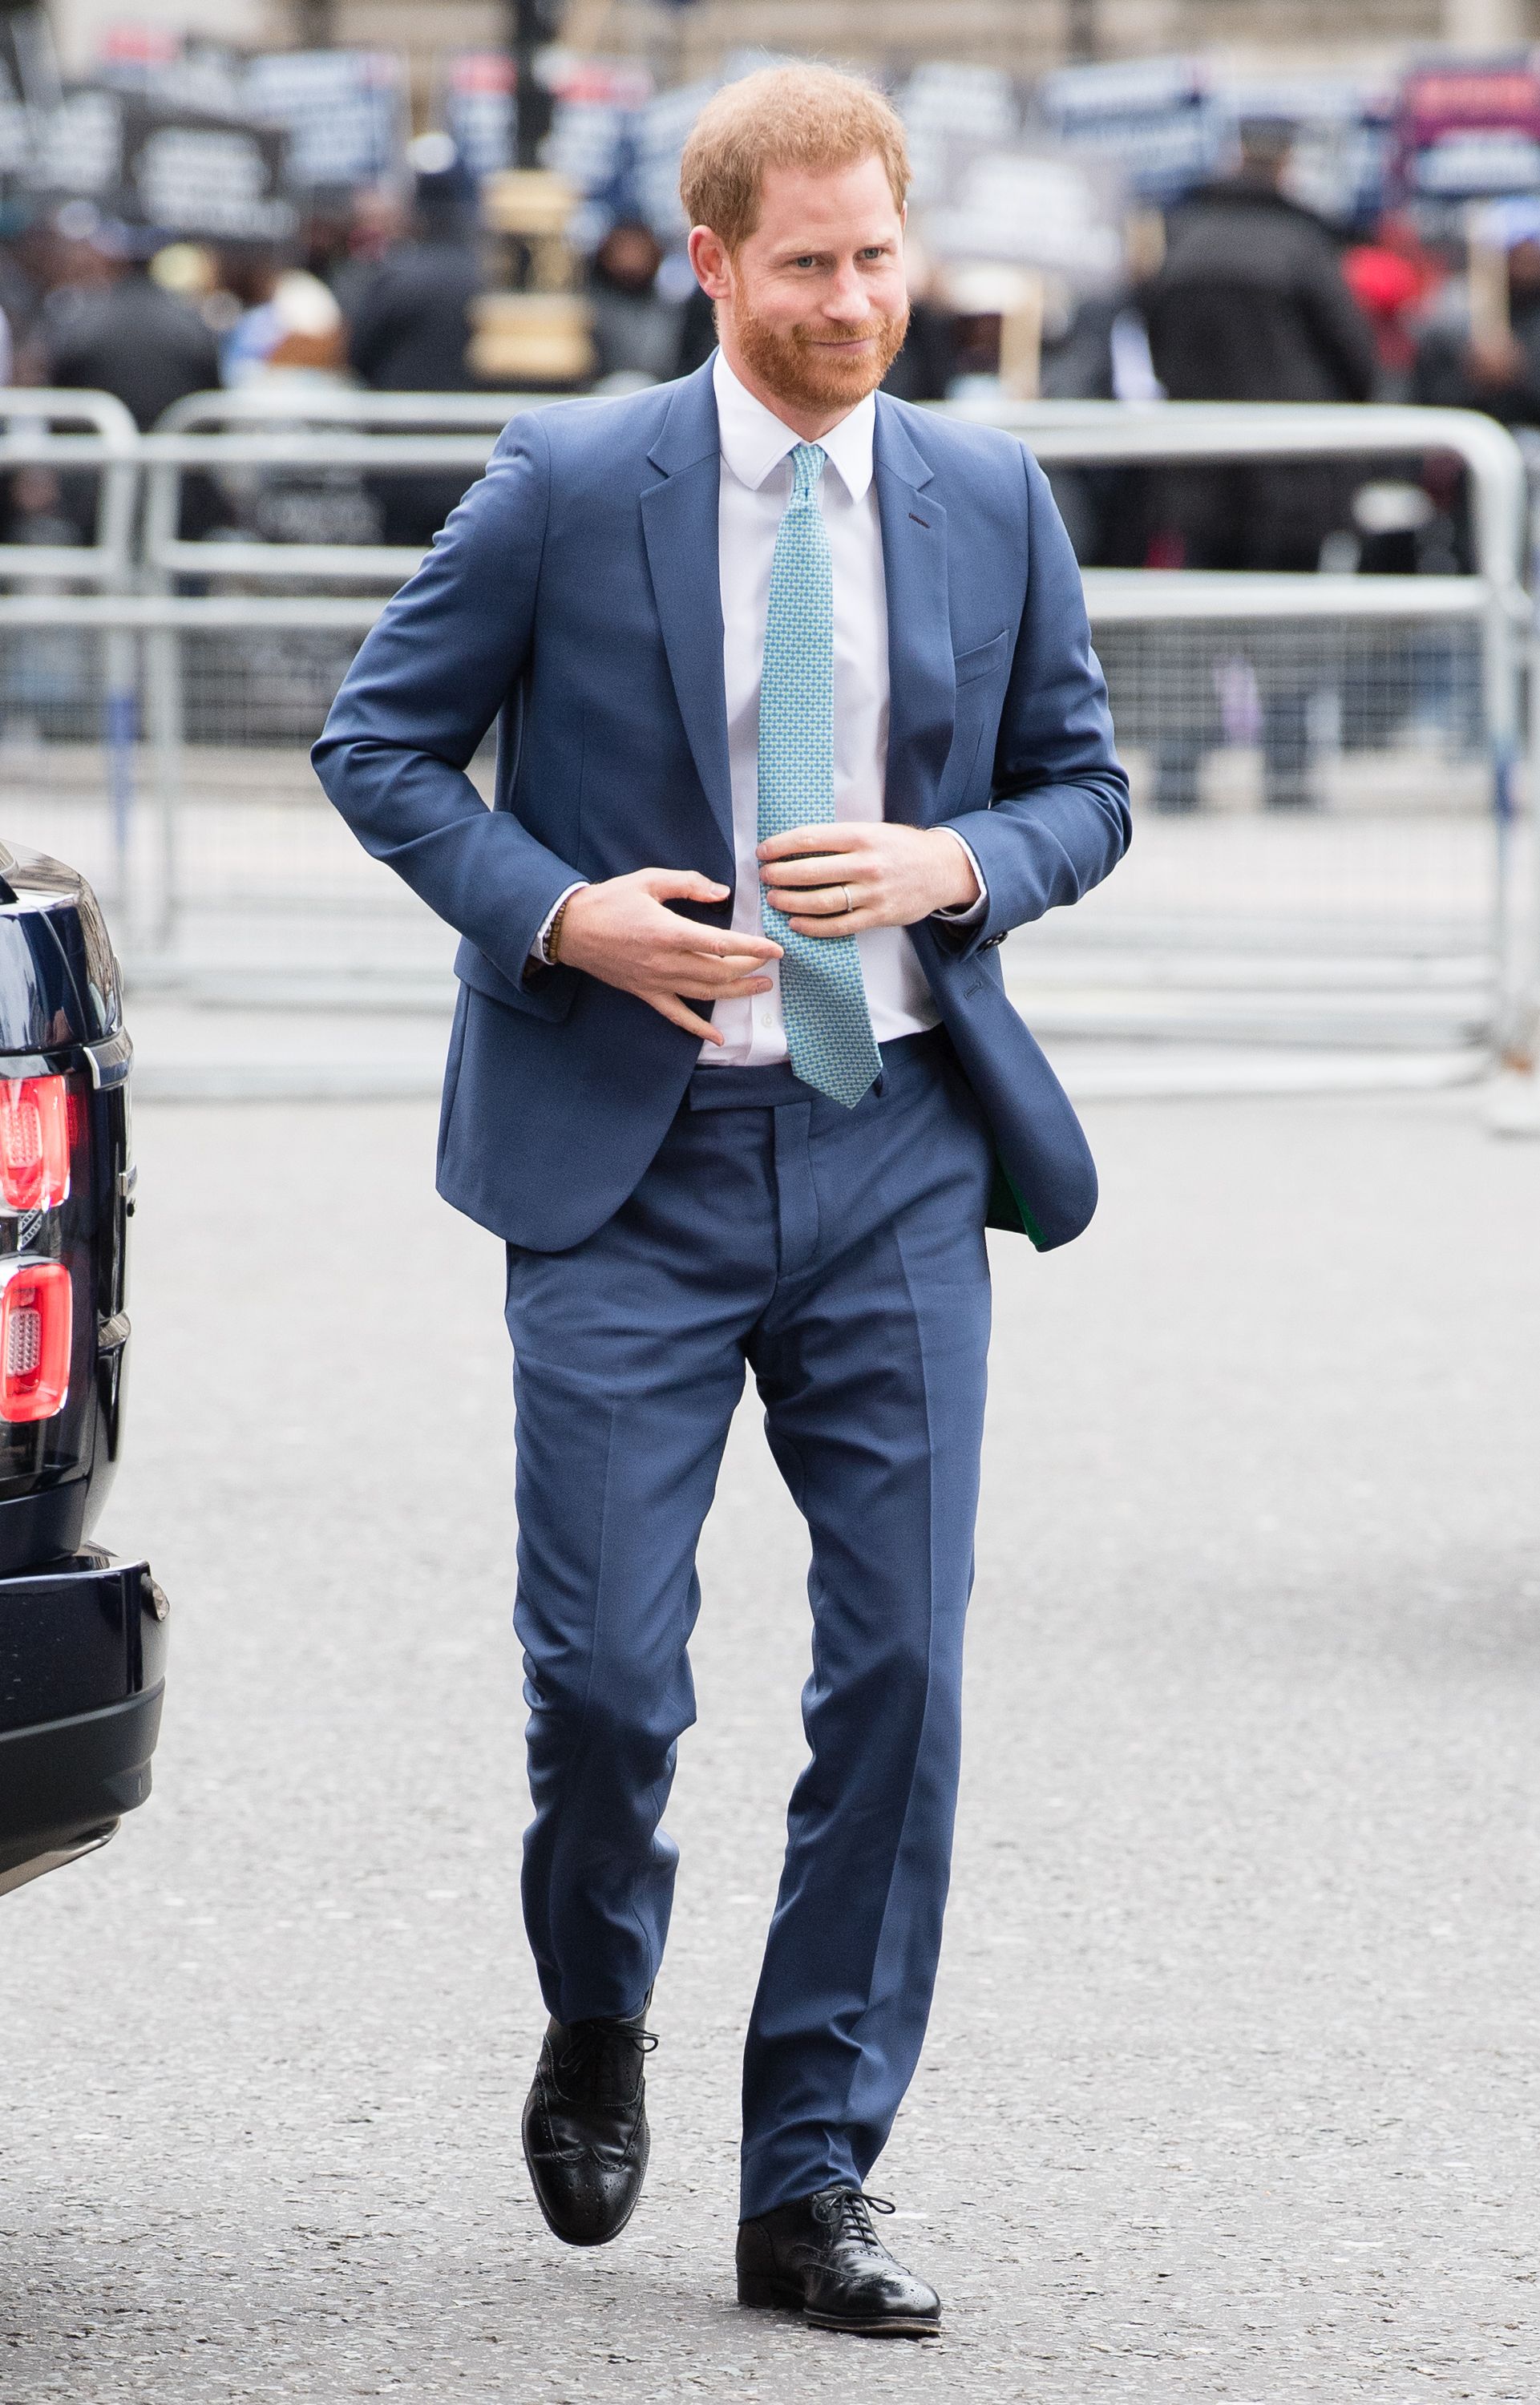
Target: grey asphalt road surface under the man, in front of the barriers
column 1233, row 2089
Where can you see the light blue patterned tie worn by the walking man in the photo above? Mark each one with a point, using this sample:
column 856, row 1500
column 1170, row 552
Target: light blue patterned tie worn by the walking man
column 824, row 999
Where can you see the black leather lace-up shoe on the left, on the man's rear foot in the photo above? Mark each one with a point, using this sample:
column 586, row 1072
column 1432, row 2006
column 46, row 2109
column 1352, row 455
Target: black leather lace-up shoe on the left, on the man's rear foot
column 586, row 2127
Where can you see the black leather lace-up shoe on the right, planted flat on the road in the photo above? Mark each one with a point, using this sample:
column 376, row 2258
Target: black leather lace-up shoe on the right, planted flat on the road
column 824, row 2257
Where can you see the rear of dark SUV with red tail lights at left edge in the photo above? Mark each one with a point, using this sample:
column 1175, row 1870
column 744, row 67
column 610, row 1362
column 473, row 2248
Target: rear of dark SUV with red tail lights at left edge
column 83, row 1637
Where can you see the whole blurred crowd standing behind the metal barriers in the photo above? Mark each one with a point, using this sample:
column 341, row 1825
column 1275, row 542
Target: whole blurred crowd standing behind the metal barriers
column 1233, row 295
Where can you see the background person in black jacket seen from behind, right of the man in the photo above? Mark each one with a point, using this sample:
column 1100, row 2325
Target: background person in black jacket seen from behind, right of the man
column 1250, row 304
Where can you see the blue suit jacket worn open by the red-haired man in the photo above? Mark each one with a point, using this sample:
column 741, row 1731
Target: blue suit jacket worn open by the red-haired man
column 574, row 598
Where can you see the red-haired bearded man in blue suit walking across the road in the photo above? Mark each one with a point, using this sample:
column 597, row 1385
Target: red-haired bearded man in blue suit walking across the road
column 798, row 715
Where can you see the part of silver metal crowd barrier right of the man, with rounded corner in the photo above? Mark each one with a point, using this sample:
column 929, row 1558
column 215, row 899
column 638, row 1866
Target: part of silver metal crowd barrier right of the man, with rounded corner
column 1356, row 747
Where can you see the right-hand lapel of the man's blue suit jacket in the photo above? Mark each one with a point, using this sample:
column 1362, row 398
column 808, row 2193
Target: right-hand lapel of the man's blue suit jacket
column 920, row 643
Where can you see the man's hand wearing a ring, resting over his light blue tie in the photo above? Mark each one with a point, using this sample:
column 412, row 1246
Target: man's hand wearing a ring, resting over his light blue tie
column 843, row 879
